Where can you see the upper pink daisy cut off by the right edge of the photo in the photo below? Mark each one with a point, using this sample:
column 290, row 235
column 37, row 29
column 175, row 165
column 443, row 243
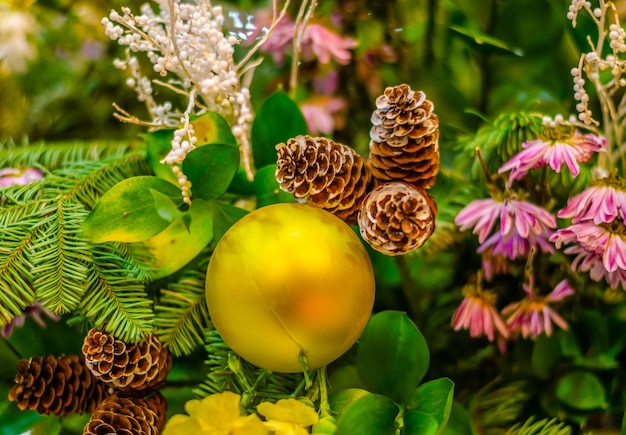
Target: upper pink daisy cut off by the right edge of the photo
column 600, row 204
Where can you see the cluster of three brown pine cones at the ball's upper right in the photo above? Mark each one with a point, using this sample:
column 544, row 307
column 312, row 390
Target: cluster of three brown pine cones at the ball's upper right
column 384, row 195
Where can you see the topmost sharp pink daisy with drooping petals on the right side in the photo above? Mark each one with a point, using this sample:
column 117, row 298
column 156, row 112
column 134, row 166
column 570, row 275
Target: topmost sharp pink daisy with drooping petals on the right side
column 554, row 153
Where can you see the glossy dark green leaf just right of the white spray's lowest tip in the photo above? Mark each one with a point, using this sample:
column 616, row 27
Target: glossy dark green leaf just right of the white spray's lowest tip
column 210, row 169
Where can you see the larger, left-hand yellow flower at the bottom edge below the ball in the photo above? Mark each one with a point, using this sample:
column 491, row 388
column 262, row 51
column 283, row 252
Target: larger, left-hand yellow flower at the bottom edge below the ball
column 217, row 414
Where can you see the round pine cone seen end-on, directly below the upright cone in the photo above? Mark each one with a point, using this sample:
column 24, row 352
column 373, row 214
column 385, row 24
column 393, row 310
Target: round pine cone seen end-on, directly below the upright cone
column 397, row 218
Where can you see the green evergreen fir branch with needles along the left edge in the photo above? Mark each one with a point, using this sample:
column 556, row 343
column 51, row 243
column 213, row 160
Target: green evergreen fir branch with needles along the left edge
column 44, row 254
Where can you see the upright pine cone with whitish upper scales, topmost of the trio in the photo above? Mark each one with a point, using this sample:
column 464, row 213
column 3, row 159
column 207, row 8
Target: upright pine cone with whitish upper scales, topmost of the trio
column 404, row 142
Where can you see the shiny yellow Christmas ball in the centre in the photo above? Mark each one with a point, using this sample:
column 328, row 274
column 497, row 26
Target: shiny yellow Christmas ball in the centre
column 290, row 280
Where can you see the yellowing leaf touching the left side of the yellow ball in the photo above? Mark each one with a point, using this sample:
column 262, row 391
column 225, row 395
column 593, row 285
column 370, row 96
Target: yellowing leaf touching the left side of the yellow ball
column 178, row 244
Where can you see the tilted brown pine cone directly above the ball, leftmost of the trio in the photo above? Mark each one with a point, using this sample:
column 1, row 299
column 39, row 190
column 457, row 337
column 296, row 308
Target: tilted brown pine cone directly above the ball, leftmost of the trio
column 328, row 174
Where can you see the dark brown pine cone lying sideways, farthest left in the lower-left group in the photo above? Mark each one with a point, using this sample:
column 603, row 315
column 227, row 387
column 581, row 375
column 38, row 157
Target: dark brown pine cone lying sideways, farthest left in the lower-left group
column 59, row 386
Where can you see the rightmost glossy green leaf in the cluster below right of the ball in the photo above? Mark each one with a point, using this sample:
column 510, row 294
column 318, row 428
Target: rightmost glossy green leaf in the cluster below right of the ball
column 435, row 399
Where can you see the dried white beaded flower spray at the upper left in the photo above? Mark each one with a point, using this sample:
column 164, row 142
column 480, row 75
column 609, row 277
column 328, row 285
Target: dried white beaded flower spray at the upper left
column 189, row 50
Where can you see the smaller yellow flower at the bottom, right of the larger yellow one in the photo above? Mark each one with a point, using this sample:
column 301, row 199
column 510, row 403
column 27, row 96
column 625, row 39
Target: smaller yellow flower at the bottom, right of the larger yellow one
column 296, row 414
